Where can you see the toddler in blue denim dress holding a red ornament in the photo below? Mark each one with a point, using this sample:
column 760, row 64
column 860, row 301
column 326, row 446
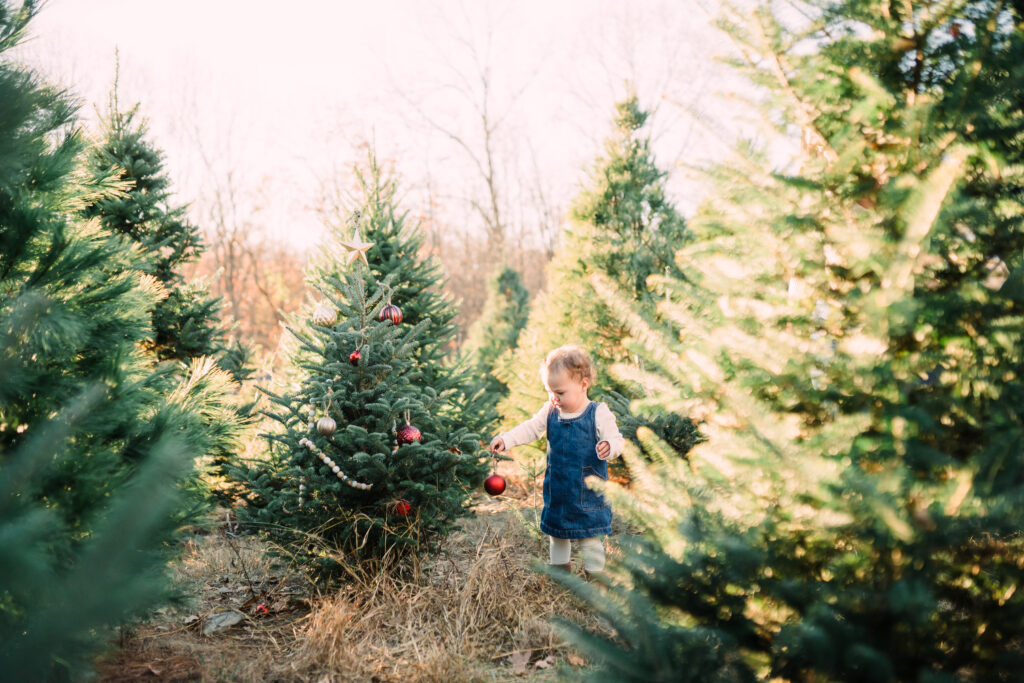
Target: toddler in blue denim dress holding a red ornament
column 582, row 437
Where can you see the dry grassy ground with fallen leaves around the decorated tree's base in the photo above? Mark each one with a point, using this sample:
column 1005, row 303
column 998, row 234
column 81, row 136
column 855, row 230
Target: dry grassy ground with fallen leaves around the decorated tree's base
column 475, row 612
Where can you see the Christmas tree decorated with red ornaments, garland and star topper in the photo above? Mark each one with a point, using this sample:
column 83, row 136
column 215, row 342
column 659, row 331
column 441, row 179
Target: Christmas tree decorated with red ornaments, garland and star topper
column 369, row 464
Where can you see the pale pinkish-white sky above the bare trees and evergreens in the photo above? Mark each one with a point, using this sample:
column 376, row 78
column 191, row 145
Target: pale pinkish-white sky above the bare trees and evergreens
column 277, row 101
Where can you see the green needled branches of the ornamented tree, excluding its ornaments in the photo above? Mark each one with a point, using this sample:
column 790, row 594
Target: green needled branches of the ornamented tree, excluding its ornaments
column 368, row 402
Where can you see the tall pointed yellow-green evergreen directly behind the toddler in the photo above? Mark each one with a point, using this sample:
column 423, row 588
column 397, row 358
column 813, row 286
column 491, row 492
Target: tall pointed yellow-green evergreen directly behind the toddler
column 625, row 229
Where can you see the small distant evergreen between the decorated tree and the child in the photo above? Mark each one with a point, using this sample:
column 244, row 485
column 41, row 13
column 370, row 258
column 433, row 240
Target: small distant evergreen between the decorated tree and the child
column 496, row 333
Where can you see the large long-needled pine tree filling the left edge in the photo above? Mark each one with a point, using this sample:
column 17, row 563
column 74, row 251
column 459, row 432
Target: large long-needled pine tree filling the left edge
column 94, row 442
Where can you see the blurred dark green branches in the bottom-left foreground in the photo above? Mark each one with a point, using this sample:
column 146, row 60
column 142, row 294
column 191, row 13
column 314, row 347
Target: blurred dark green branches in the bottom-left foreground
column 56, row 614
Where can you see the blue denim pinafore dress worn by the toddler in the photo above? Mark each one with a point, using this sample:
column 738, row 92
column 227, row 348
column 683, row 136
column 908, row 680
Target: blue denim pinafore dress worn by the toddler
column 571, row 509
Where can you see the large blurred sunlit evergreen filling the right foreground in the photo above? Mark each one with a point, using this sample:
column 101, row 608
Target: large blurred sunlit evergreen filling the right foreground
column 852, row 341
